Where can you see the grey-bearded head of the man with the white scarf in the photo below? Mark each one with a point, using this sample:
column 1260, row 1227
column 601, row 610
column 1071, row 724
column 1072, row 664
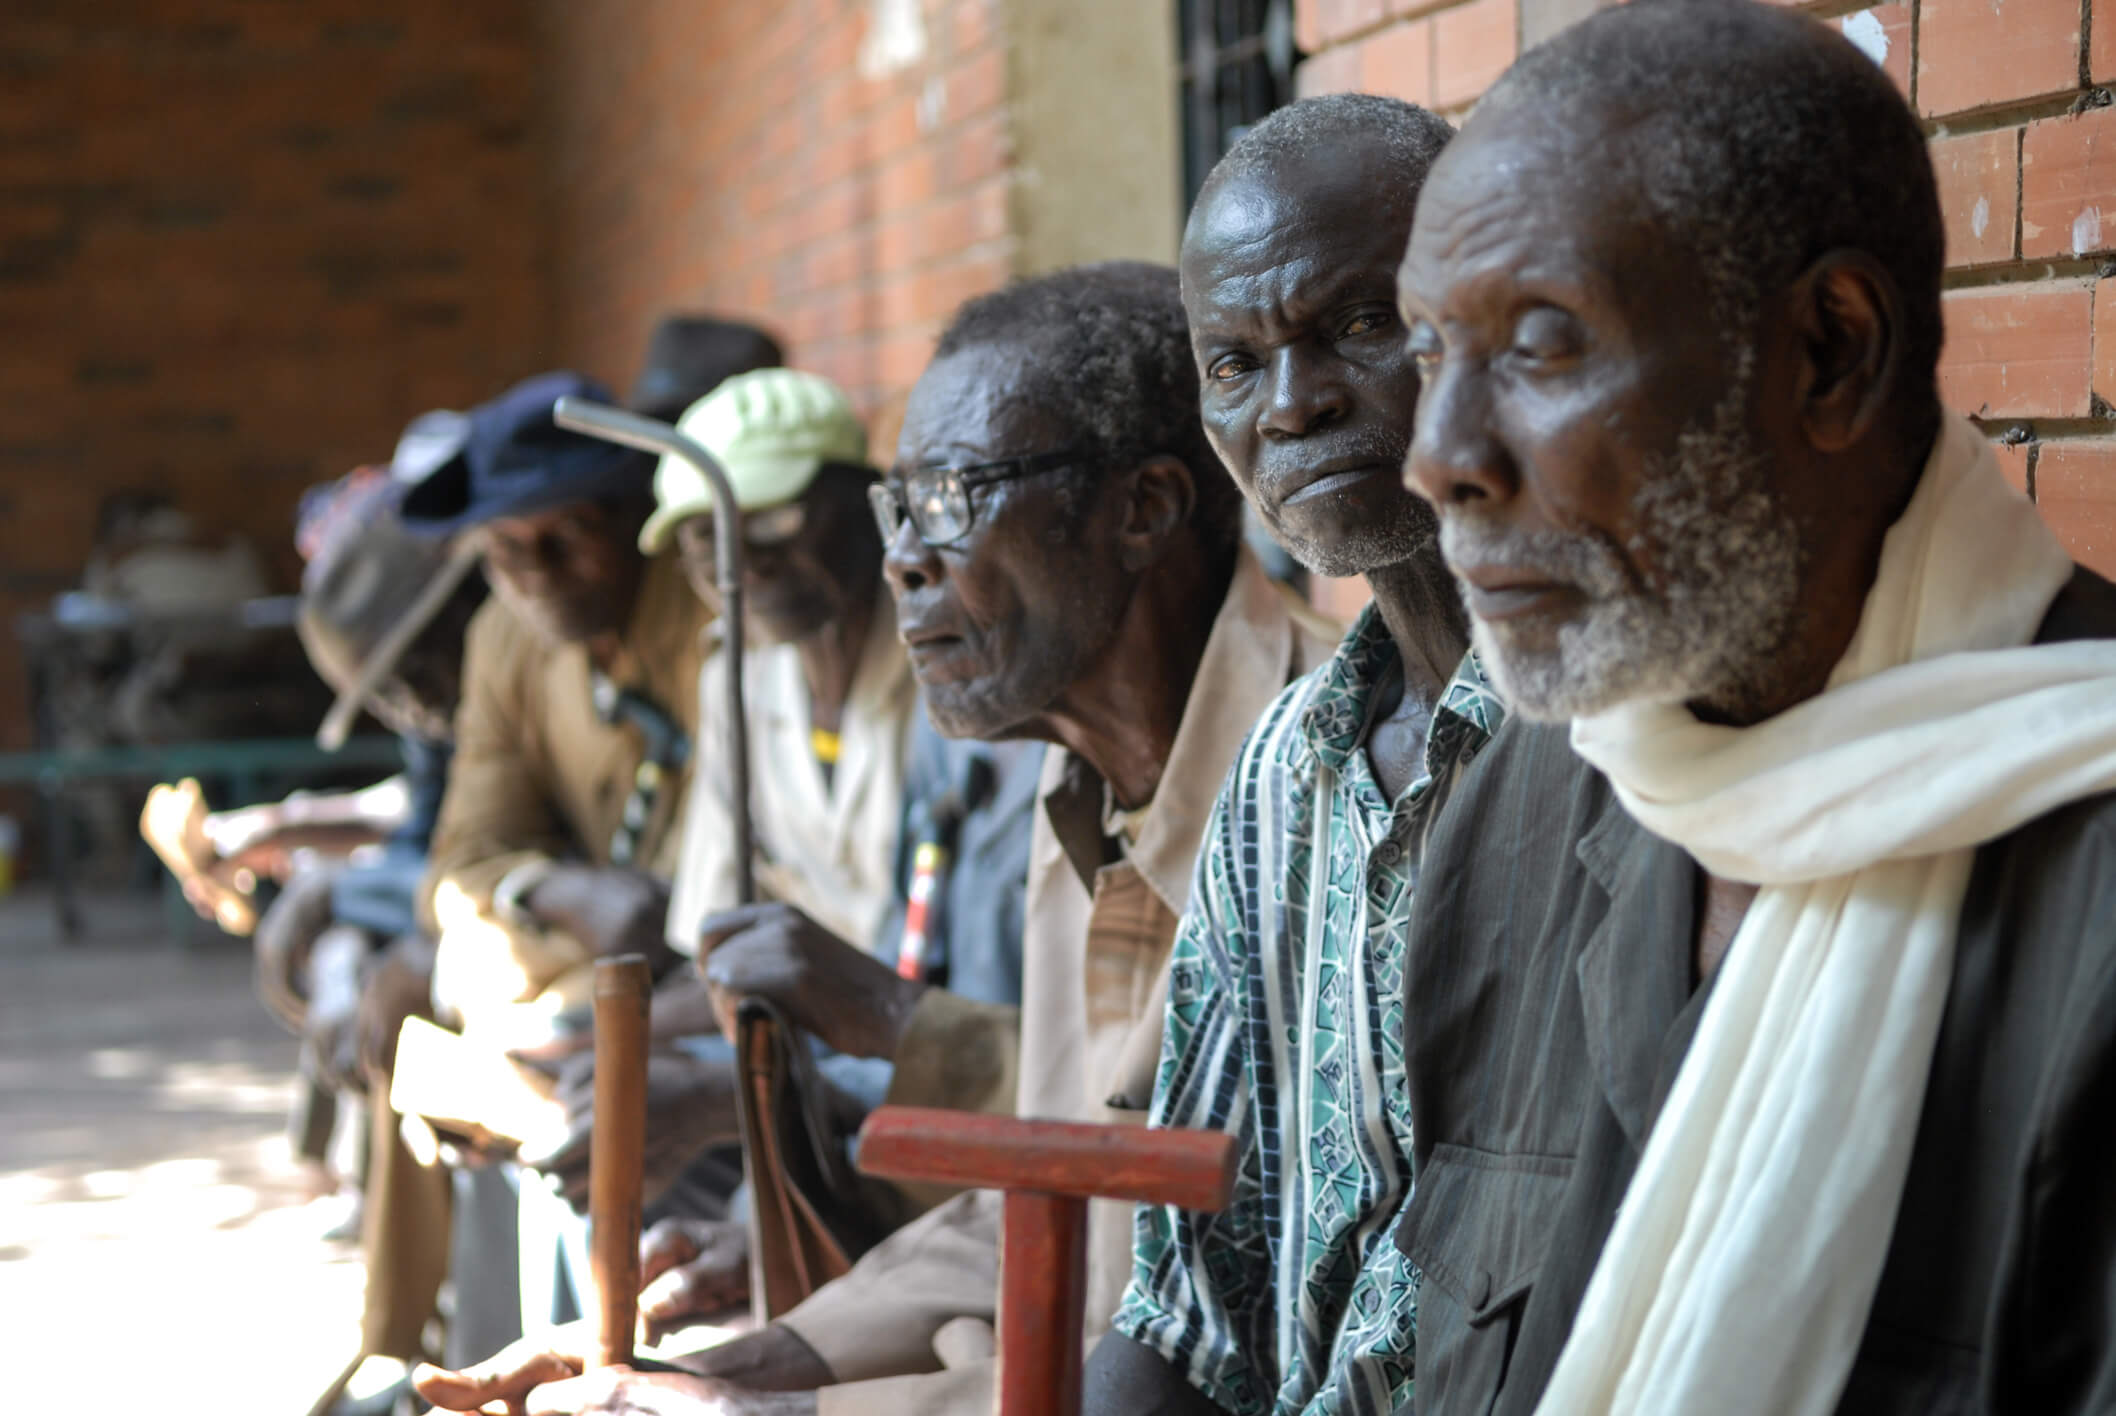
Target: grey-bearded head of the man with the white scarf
column 1675, row 297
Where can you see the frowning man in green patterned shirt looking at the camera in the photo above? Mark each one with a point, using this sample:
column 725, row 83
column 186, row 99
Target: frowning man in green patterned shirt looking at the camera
column 1285, row 1006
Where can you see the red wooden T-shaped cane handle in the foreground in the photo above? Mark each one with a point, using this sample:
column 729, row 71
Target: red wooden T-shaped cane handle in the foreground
column 1048, row 1174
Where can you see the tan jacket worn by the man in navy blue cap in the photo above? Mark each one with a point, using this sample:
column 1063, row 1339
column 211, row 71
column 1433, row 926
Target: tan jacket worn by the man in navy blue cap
column 541, row 776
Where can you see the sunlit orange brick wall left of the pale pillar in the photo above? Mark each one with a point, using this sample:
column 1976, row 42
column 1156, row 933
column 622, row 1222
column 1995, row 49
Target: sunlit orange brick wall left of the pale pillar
column 754, row 160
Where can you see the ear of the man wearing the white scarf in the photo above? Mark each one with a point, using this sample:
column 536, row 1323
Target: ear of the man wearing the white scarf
column 1850, row 327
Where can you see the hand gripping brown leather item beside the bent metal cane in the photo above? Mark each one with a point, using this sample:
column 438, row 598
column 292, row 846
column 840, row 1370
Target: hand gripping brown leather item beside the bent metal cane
column 828, row 987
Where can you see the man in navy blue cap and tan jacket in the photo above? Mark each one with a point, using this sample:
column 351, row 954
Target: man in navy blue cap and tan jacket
column 579, row 710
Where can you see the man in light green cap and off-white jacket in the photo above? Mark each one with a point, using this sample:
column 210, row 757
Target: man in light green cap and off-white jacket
column 828, row 685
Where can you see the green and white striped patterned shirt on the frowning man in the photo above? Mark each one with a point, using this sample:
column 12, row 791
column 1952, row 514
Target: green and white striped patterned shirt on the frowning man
column 1285, row 1028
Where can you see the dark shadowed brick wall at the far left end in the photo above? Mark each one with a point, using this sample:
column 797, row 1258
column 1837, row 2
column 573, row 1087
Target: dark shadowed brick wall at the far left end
column 240, row 247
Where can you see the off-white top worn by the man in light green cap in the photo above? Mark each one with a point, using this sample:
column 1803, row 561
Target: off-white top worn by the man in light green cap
column 822, row 846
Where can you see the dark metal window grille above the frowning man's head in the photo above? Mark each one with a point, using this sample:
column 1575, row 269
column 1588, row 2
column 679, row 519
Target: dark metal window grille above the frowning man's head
column 1237, row 67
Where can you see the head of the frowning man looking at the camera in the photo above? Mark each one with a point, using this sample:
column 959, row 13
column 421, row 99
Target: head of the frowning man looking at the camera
column 1290, row 287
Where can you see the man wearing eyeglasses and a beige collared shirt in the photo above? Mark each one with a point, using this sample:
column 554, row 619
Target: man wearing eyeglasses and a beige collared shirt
column 1068, row 566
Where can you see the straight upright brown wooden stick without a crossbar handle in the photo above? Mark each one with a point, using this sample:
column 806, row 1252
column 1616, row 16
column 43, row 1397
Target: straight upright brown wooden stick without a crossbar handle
column 617, row 1163
